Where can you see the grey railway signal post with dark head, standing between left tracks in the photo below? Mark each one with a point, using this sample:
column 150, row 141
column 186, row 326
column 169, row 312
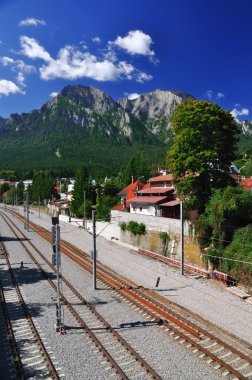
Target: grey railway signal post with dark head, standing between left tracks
column 56, row 259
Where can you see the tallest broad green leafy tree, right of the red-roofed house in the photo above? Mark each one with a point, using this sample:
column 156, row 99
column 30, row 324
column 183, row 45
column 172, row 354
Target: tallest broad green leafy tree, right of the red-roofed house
column 204, row 143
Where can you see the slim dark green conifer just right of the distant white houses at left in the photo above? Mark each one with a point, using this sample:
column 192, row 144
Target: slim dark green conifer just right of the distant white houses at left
column 81, row 184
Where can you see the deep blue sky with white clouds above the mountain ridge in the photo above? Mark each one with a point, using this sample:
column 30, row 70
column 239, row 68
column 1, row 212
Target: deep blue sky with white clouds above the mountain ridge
column 124, row 48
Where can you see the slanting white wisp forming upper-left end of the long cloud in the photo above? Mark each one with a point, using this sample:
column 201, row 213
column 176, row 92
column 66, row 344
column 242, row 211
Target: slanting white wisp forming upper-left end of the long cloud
column 31, row 48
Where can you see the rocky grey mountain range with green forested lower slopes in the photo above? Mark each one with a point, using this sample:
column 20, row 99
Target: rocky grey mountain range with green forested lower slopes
column 85, row 125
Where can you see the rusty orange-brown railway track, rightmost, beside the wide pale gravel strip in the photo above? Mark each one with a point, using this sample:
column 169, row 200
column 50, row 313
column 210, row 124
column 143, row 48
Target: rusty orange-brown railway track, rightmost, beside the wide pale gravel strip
column 217, row 346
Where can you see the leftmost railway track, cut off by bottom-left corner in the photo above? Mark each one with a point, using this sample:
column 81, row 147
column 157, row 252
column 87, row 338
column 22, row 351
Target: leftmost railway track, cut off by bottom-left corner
column 30, row 355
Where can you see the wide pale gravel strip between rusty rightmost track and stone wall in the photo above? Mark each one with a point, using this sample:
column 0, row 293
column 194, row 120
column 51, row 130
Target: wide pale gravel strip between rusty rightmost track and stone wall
column 205, row 297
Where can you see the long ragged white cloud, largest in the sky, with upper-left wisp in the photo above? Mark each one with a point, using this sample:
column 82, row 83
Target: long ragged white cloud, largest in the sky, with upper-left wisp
column 72, row 63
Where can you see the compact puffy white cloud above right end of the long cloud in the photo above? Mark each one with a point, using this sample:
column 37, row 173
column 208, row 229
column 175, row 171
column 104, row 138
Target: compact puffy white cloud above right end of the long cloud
column 136, row 42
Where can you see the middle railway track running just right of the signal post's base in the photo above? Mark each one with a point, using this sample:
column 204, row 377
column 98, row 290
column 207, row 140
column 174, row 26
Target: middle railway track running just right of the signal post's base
column 116, row 354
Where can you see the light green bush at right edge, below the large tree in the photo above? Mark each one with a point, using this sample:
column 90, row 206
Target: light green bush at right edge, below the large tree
column 239, row 253
